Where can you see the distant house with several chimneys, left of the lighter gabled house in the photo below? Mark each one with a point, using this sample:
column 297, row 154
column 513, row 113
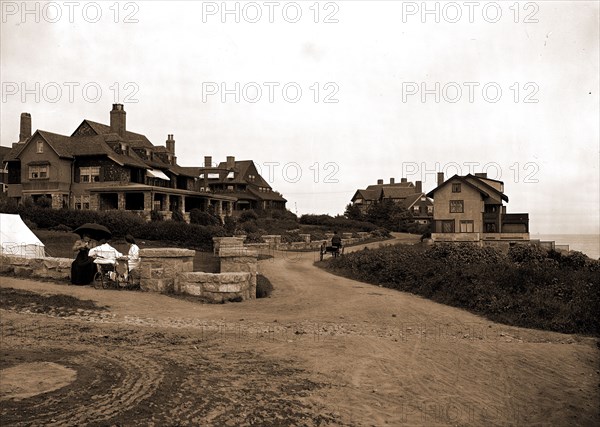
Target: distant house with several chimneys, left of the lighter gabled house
column 410, row 196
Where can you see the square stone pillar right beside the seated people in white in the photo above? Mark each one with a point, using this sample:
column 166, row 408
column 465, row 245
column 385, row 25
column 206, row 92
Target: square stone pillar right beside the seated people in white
column 160, row 266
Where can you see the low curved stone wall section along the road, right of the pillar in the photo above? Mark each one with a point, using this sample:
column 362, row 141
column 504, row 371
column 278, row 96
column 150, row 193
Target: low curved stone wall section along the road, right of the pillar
column 216, row 288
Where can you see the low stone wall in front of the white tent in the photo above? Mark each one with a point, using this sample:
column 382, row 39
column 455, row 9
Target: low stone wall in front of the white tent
column 43, row 268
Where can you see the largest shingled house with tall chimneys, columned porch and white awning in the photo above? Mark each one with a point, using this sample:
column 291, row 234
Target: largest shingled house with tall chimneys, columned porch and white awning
column 103, row 167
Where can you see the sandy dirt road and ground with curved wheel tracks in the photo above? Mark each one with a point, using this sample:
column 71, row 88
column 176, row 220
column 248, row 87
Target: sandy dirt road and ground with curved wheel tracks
column 323, row 350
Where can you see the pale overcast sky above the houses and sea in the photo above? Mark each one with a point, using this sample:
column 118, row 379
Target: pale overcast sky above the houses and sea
column 516, row 88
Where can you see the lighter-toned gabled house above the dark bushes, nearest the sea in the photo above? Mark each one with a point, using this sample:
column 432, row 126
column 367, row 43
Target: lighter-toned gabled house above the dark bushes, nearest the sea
column 470, row 208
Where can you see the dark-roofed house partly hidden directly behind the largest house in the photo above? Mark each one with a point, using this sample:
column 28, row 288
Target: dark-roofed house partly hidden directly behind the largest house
column 239, row 179
